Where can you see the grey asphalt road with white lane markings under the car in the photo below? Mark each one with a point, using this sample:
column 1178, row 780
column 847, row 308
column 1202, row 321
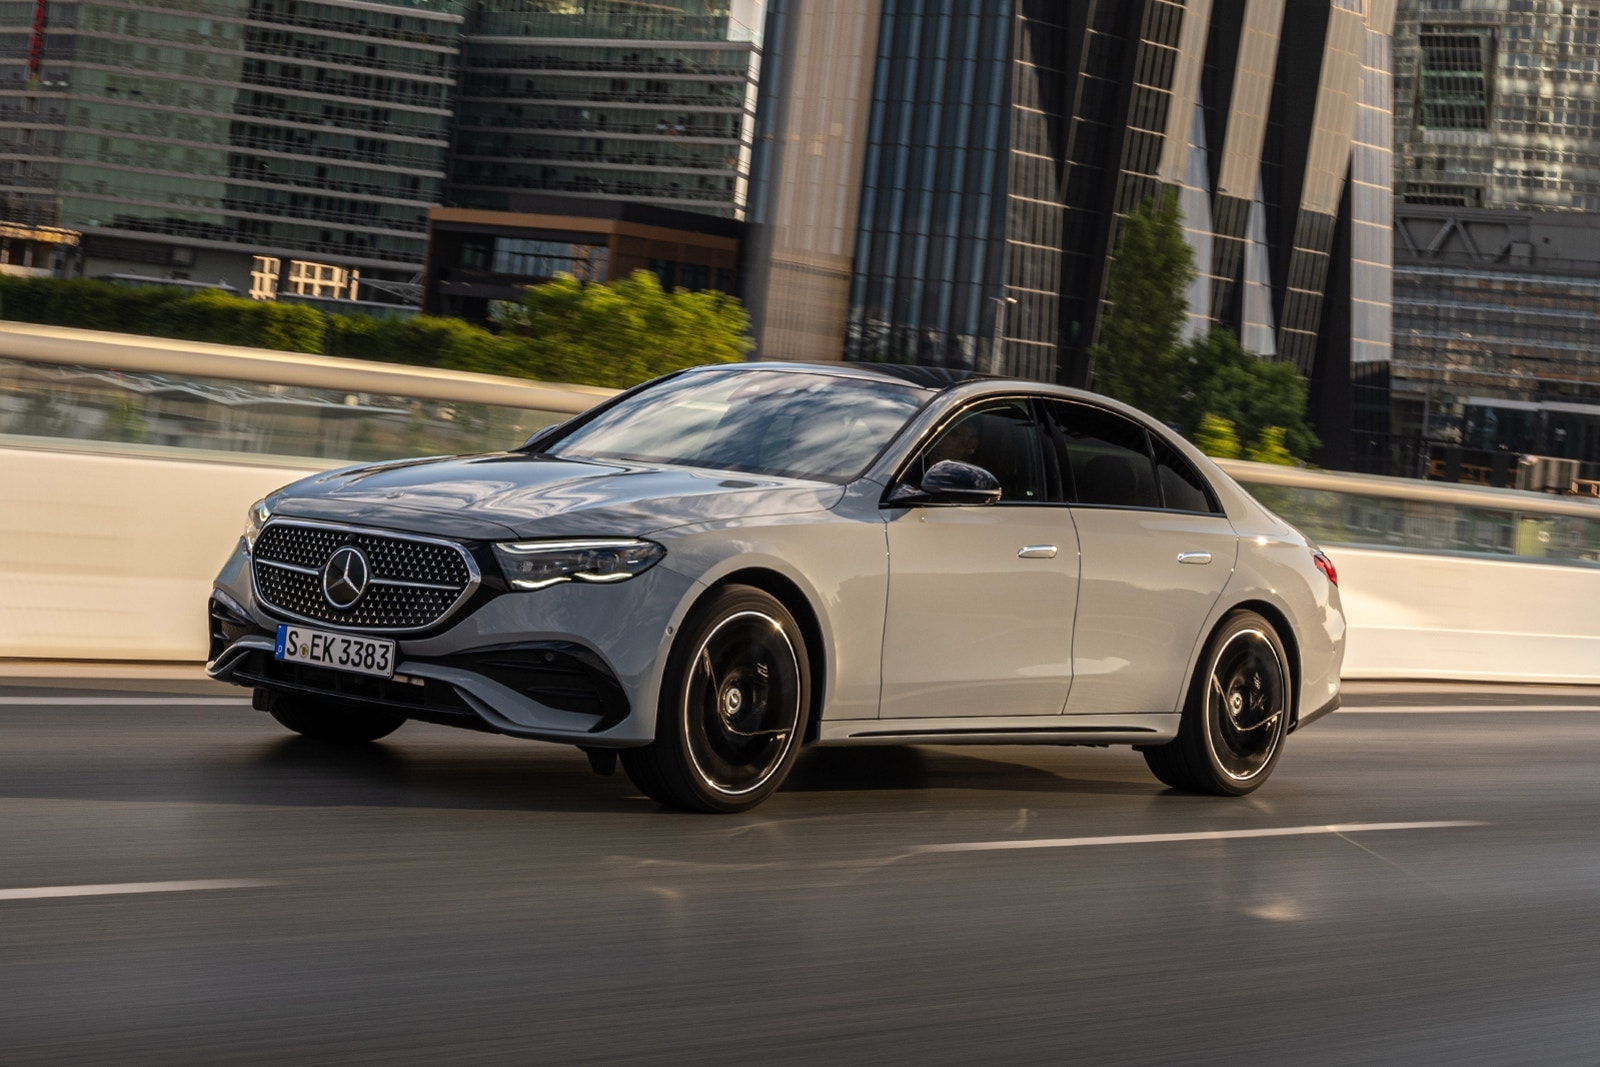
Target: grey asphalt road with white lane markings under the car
column 185, row 884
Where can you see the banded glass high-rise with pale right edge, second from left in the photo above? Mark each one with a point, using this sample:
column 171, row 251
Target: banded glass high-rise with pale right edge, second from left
column 609, row 100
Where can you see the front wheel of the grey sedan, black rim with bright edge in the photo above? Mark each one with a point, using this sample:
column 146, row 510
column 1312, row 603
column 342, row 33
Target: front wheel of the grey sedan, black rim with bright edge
column 735, row 701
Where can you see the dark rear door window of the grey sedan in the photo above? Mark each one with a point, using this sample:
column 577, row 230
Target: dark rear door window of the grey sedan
column 1106, row 460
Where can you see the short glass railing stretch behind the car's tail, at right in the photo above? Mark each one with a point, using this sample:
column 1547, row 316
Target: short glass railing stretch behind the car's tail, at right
column 1410, row 516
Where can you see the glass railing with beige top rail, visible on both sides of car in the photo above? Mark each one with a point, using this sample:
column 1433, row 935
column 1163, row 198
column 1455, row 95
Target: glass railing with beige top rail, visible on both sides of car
column 81, row 390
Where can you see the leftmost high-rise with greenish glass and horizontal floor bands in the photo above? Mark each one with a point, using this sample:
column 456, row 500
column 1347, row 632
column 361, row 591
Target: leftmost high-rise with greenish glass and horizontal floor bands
column 185, row 140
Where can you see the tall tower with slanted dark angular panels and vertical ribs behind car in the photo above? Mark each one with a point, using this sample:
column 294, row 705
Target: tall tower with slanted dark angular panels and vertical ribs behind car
column 999, row 145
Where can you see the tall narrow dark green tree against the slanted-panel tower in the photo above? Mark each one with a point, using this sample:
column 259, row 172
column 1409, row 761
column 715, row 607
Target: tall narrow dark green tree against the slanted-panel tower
column 1137, row 359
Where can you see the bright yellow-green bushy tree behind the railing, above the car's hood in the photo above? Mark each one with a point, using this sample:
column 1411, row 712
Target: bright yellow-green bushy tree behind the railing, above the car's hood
column 618, row 334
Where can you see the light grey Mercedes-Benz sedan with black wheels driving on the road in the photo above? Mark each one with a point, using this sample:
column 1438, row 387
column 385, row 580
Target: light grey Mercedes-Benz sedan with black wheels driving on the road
column 713, row 570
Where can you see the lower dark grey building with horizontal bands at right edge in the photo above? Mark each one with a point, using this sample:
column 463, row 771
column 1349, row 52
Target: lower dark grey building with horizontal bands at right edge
column 1497, row 340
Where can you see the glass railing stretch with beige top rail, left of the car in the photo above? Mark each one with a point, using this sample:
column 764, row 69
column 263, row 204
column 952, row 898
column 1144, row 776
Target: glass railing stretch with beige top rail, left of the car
column 303, row 410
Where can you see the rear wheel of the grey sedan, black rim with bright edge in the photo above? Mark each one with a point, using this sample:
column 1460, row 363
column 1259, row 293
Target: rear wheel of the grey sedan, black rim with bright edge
column 1236, row 717
